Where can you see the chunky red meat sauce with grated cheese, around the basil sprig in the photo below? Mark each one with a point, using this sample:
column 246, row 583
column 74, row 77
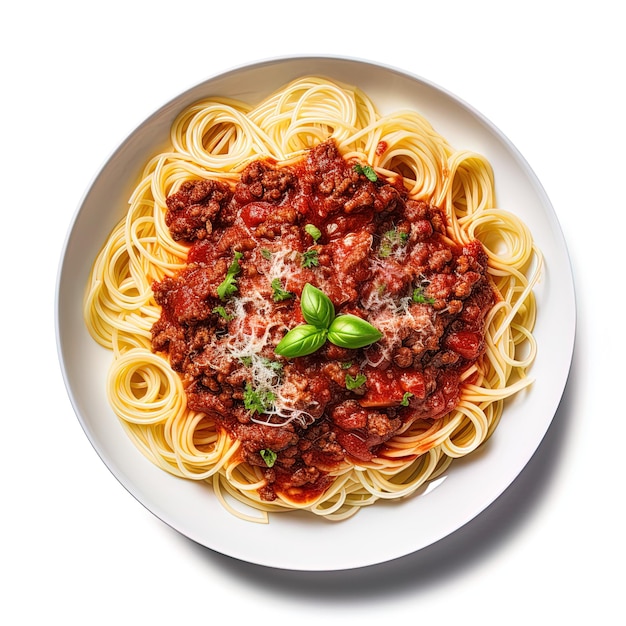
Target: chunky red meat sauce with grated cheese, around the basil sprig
column 377, row 254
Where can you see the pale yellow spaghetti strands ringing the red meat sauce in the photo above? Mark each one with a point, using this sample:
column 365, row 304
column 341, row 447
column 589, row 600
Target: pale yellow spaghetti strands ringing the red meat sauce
column 218, row 139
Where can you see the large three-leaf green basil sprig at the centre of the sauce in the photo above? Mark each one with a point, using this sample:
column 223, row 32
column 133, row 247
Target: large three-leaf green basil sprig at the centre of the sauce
column 345, row 330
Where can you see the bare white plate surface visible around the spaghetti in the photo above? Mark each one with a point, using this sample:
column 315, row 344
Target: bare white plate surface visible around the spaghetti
column 384, row 531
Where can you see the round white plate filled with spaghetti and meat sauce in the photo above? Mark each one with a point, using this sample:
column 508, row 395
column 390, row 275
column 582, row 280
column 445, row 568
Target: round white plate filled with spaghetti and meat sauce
column 311, row 300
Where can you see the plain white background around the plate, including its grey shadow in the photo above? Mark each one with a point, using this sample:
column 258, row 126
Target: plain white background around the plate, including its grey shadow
column 77, row 79
